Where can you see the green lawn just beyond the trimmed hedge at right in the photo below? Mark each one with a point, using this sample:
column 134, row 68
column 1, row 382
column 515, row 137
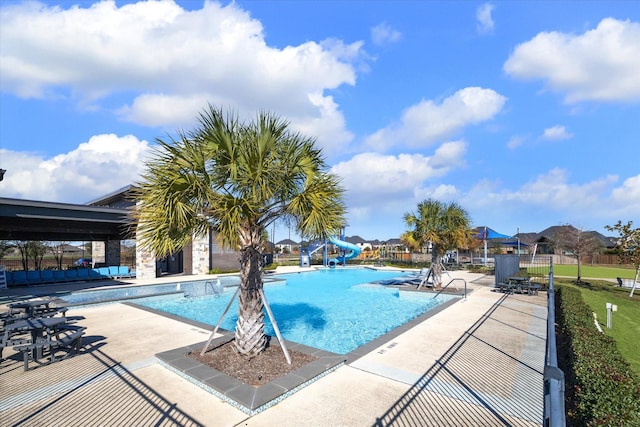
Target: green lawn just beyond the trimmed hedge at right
column 625, row 323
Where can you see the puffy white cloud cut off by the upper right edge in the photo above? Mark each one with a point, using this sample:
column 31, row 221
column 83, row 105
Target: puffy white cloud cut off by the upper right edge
column 602, row 64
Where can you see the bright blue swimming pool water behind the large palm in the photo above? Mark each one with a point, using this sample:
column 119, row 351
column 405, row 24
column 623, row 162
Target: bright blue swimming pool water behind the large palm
column 337, row 310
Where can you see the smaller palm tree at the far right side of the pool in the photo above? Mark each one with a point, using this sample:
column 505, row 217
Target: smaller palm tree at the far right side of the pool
column 446, row 226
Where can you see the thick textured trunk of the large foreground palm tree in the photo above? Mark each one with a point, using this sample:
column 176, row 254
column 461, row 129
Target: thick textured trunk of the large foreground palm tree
column 250, row 339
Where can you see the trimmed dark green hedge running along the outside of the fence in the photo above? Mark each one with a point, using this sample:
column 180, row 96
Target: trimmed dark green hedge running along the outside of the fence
column 601, row 389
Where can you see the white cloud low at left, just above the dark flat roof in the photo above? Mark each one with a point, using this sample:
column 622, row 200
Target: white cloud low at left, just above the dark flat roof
column 99, row 166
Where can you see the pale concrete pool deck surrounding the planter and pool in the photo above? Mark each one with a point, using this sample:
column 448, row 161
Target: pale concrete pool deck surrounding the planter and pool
column 479, row 362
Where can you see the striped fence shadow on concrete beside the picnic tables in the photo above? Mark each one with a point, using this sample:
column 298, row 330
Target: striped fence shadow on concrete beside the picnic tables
column 90, row 388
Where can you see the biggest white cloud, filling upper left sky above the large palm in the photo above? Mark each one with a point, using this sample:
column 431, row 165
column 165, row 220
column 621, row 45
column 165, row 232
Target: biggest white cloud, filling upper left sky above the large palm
column 170, row 62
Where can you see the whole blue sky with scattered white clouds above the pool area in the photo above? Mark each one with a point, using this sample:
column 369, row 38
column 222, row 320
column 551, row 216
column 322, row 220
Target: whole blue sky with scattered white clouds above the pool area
column 525, row 113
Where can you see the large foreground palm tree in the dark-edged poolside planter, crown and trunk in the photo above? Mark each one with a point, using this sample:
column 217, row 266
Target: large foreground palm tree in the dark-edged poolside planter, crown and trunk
column 236, row 179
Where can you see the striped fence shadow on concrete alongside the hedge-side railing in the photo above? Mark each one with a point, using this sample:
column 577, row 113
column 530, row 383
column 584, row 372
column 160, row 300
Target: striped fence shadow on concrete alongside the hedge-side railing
column 491, row 376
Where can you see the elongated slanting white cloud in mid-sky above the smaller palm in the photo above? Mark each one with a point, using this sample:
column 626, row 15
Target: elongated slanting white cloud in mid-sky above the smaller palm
column 428, row 122
